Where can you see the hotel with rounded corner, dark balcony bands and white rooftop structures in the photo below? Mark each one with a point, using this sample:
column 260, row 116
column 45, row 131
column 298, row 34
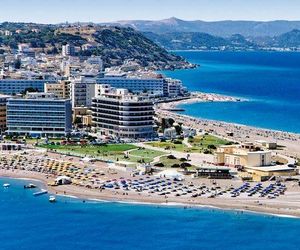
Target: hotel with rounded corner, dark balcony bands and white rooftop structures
column 117, row 113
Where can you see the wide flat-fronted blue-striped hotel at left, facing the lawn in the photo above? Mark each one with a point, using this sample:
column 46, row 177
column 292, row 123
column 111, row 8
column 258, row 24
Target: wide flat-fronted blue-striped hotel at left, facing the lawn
column 39, row 114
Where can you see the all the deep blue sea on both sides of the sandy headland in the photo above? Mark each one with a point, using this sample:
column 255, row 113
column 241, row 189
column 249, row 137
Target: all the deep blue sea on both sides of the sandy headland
column 270, row 82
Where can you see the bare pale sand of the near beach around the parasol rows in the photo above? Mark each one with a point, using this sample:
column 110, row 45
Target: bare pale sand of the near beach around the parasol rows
column 287, row 204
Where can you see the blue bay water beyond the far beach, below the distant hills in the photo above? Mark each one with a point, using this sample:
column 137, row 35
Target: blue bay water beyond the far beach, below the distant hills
column 270, row 81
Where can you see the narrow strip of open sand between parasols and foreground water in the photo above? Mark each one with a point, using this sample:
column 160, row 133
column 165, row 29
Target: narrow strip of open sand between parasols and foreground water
column 92, row 195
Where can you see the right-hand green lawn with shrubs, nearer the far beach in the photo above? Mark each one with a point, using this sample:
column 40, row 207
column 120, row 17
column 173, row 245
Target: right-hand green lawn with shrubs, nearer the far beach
column 205, row 143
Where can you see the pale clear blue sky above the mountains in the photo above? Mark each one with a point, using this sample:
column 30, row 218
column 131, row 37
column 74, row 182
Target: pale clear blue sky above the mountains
column 54, row 11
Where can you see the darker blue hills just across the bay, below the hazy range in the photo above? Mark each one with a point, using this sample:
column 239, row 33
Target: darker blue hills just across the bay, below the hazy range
column 204, row 41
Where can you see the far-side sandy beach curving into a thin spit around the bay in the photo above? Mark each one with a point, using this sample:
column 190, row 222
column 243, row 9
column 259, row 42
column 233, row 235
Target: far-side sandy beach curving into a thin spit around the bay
column 289, row 142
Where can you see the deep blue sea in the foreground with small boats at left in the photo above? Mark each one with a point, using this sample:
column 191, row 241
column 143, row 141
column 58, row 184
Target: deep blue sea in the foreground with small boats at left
column 28, row 222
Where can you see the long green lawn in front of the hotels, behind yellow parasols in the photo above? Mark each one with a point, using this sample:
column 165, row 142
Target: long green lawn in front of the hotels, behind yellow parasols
column 113, row 152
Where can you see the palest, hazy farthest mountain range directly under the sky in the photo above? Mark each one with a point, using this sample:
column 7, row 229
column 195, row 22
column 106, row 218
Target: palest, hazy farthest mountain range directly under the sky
column 218, row 28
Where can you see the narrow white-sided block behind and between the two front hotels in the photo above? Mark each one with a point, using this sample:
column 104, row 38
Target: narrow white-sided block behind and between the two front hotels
column 82, row 91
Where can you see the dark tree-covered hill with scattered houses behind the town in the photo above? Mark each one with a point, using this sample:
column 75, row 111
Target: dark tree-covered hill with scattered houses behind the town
column 113, row 44
